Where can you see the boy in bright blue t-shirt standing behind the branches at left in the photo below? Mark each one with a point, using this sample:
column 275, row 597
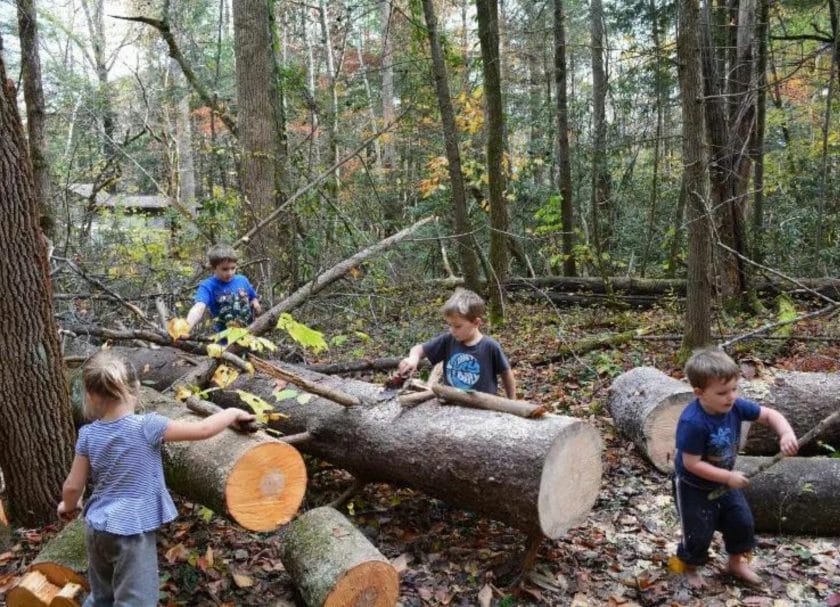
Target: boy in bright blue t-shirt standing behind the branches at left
column 229, row 296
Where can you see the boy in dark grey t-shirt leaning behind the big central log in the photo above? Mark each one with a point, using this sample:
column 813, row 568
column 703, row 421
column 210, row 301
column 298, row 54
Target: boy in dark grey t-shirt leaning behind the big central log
column 472, row 361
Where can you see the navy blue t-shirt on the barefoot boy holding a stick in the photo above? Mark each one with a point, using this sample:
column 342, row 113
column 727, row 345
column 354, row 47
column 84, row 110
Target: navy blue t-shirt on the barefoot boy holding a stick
column 716, row 438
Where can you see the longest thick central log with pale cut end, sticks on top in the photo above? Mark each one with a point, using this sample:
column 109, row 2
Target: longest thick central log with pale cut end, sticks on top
column 538, row 475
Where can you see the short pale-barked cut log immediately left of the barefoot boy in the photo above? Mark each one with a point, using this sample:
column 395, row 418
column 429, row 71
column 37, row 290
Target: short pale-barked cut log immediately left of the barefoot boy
column 645, row 405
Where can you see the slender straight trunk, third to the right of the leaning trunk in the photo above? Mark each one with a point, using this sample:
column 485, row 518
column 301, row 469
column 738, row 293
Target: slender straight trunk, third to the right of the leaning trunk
column 602, row 212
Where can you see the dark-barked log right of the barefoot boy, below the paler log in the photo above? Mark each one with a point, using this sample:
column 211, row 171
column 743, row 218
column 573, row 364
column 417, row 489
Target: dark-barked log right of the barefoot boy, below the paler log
column 796, row 496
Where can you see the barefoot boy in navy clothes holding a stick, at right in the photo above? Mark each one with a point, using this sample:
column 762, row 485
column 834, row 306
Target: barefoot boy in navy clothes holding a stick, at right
column 708, row 437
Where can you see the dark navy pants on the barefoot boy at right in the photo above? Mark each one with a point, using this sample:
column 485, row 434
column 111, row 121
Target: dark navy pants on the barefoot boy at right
column 701, row 517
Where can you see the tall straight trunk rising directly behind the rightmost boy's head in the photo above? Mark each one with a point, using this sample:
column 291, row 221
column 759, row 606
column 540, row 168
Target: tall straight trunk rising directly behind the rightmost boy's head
column 698, row 285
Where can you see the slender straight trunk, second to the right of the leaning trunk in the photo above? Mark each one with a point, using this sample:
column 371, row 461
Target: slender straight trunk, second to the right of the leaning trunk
column 564, row 168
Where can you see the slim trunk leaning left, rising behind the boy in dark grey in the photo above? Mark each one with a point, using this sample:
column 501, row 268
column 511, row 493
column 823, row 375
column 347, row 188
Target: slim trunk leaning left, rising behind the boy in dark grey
column 469, row 264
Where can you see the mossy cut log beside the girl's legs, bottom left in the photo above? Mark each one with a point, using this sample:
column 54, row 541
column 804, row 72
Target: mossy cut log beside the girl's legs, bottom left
column 63, row 560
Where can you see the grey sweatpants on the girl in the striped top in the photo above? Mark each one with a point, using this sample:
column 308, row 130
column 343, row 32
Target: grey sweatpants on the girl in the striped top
column 122, row 569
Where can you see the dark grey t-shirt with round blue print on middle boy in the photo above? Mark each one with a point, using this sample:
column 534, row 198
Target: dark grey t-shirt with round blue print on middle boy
column 475, row 367
